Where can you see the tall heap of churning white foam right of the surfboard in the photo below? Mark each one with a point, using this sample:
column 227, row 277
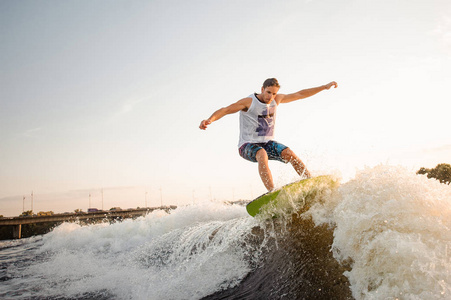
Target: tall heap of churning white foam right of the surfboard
column 395, row 227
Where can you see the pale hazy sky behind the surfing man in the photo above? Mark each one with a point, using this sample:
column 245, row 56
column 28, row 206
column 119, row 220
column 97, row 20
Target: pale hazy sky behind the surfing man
column 110, row 94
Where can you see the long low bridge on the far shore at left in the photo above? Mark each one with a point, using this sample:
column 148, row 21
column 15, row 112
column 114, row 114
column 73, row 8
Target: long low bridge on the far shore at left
column 17, row 222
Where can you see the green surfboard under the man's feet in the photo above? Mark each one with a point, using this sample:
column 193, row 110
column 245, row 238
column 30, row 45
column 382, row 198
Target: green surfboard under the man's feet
column 306, row 187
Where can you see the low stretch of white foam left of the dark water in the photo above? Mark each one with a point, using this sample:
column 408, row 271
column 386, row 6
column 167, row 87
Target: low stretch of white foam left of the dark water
column 187, row 254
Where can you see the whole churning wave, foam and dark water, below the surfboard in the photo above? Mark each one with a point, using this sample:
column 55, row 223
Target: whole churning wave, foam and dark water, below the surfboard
column 384, row 234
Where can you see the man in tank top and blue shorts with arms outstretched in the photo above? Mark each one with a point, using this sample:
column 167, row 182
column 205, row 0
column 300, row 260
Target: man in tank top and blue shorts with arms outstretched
column 257, row 120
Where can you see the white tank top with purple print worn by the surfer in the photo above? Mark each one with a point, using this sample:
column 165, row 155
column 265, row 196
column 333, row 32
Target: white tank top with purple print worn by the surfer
column 257, row 123
